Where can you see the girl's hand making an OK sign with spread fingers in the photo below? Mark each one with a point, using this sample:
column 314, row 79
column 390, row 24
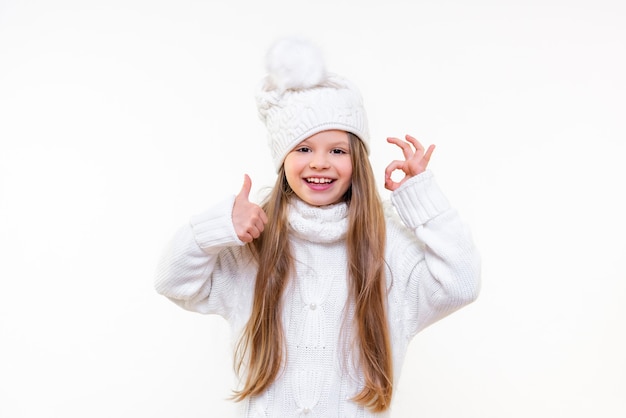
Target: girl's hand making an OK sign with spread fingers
column 415, row 160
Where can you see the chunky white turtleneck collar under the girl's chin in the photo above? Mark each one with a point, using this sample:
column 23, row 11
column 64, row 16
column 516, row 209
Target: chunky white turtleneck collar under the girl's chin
column 320, row 224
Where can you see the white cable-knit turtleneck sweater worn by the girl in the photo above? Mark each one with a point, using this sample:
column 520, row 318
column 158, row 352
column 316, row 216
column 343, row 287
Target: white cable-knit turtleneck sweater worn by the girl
column 433, row 270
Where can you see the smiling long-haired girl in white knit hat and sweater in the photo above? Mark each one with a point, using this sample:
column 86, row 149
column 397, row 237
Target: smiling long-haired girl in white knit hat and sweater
column 323, row 285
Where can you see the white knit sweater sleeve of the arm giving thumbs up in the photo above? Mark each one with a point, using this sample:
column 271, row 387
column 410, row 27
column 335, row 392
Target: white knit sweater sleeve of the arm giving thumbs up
column 198, row 267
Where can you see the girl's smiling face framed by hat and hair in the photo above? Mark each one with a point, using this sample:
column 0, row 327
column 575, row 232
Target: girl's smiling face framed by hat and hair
column 319, row 169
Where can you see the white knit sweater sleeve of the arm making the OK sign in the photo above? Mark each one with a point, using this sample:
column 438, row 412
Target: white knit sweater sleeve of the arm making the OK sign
column 440, row 272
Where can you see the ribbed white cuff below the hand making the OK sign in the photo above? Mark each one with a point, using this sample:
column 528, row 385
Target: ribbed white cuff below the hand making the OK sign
column 419, row 200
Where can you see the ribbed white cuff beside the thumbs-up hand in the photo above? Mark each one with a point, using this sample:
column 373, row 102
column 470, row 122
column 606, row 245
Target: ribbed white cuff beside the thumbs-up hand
column 214, row 227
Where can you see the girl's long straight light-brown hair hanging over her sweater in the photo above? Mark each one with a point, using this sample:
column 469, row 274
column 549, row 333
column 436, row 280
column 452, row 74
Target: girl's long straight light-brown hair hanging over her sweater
column 261, row 349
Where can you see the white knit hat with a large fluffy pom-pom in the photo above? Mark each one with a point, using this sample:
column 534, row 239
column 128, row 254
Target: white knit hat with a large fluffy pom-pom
column 298, row 98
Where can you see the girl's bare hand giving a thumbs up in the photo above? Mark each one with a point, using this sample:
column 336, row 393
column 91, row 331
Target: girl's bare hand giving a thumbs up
column 248, row 218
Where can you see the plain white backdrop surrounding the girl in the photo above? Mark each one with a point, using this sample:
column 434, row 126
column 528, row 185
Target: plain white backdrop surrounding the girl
column 119, row 119
